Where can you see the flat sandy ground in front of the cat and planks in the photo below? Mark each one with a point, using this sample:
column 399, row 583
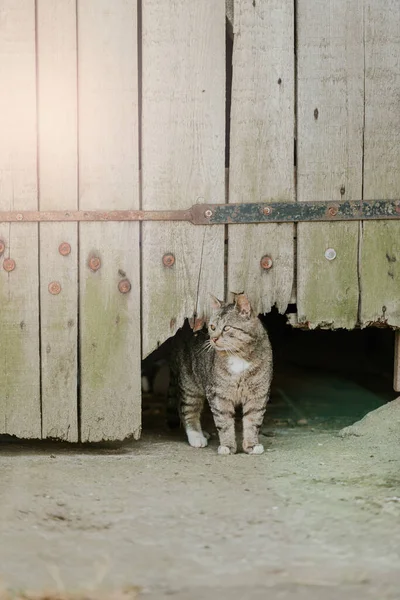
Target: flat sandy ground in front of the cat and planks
column 316, row 516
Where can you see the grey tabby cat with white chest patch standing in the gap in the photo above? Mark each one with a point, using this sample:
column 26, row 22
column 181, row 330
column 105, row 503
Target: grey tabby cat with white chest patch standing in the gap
column 230, row 367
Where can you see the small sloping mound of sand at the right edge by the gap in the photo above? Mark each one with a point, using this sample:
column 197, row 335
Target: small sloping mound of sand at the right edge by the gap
column 382, row 423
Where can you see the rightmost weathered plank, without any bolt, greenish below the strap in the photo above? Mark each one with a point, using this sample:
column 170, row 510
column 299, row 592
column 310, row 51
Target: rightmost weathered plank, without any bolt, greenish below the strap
column 380, row 244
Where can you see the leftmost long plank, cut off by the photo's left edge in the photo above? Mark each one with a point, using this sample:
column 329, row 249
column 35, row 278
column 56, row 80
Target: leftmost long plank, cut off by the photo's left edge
column 19, row 315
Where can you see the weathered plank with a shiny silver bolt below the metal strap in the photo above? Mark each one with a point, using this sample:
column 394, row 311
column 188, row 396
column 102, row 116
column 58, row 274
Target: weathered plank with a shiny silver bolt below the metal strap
column 330, row 67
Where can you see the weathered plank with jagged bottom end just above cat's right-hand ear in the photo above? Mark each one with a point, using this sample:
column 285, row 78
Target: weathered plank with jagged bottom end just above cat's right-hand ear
column 261, row 148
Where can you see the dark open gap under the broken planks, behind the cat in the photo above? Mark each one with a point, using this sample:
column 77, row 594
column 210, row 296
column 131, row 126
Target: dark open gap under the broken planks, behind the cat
column 322, row 379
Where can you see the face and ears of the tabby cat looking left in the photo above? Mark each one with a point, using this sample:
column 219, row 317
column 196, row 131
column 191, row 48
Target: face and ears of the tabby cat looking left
column 230, row 327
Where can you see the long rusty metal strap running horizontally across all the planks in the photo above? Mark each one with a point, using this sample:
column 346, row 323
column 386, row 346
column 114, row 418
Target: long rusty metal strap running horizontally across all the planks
column 221, row 214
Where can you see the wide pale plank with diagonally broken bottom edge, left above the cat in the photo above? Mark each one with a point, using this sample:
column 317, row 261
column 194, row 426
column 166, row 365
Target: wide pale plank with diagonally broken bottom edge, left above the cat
column 182, row 158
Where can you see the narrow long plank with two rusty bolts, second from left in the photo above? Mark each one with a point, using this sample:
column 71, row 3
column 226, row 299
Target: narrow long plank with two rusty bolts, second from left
column 57, row 121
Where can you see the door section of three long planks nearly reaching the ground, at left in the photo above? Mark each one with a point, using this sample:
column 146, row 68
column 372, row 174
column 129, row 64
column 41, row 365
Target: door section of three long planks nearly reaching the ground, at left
column 70, row 339
